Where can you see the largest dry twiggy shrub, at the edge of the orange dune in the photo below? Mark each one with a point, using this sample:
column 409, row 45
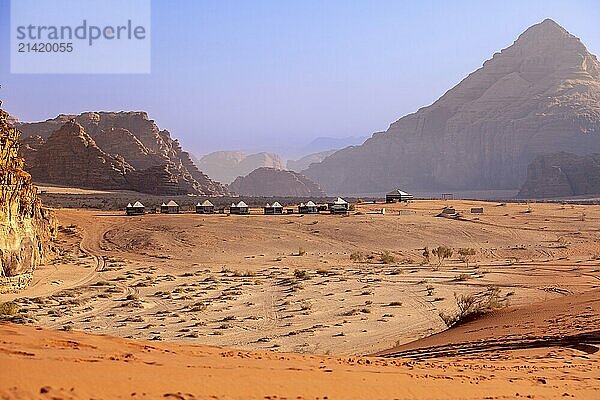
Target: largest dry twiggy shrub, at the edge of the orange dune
column 472, row 306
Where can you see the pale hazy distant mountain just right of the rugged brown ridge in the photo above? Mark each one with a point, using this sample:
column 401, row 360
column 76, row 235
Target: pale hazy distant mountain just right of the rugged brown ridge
column 225, row 166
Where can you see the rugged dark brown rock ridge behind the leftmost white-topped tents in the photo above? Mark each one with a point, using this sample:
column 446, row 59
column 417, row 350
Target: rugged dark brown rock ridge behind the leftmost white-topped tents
column 106, row 150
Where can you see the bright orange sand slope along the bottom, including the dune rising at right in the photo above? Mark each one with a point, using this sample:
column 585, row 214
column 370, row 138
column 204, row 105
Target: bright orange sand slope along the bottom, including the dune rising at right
column 38, row 363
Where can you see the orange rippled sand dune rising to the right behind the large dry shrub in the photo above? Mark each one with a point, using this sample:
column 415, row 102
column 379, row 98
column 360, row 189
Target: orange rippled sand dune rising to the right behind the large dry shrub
column 572, row 321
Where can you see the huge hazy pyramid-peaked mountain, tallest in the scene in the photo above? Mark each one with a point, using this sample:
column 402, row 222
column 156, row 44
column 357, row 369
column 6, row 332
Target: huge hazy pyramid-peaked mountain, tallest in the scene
column 539, row 96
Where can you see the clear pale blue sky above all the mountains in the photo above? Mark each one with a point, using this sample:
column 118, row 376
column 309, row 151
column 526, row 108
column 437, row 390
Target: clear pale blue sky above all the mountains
column 273, row 75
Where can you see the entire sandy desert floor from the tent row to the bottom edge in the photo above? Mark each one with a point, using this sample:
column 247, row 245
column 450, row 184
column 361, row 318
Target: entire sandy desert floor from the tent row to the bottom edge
column 163, row 287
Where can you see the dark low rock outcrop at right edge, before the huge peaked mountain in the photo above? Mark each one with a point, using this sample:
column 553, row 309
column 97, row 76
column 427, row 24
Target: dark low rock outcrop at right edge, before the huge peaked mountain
column 562, row 175
